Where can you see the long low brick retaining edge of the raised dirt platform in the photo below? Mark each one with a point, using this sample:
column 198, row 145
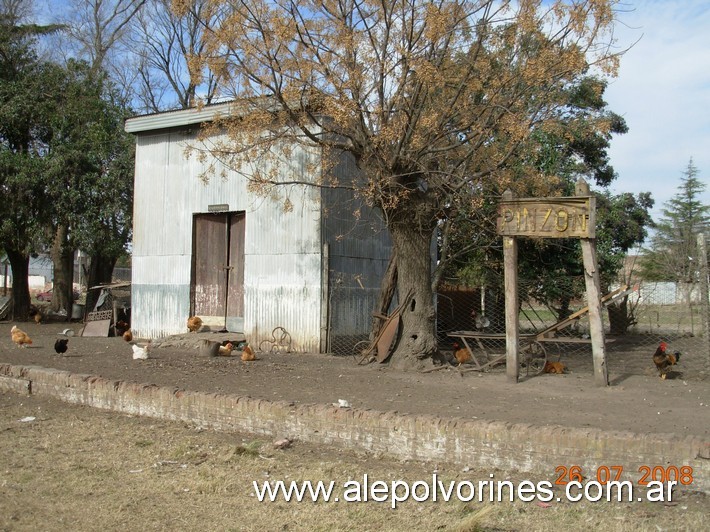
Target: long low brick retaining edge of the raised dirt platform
column 477, row 444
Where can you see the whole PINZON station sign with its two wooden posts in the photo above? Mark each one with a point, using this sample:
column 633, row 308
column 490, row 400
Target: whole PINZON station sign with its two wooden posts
column 569, row 217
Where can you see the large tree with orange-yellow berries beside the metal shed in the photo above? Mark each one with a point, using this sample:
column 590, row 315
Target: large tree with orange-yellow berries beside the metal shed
column 433, row 100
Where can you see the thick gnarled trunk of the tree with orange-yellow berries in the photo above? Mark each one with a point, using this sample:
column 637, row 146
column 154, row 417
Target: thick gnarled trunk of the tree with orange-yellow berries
column 417, row 339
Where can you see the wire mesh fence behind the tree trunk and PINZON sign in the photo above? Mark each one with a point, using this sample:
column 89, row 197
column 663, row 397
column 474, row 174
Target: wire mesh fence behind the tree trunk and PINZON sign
column 635, row 319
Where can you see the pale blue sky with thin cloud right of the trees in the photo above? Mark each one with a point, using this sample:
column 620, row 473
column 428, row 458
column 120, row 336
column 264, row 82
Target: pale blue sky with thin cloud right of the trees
column 663, row 92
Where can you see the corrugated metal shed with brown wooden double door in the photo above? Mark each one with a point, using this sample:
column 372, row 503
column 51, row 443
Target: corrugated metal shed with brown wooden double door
column 239, row 260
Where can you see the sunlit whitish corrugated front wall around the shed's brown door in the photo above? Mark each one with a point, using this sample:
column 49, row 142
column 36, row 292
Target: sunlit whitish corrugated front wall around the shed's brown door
column 282, row 249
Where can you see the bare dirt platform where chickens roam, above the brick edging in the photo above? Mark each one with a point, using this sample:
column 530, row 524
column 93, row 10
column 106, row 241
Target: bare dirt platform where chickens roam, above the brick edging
column 637, row 400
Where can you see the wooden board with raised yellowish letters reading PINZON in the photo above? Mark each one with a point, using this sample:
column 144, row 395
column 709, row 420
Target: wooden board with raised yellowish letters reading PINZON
column 570, row 217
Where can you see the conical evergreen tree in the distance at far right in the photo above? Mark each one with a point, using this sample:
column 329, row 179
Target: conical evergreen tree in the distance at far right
column 673, row 254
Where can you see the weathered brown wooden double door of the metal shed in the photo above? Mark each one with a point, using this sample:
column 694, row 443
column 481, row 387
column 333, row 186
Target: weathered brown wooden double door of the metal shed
column 218, row 270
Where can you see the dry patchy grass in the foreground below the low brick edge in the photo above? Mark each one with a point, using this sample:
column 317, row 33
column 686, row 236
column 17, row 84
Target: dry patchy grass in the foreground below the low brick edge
column 76, row 468
